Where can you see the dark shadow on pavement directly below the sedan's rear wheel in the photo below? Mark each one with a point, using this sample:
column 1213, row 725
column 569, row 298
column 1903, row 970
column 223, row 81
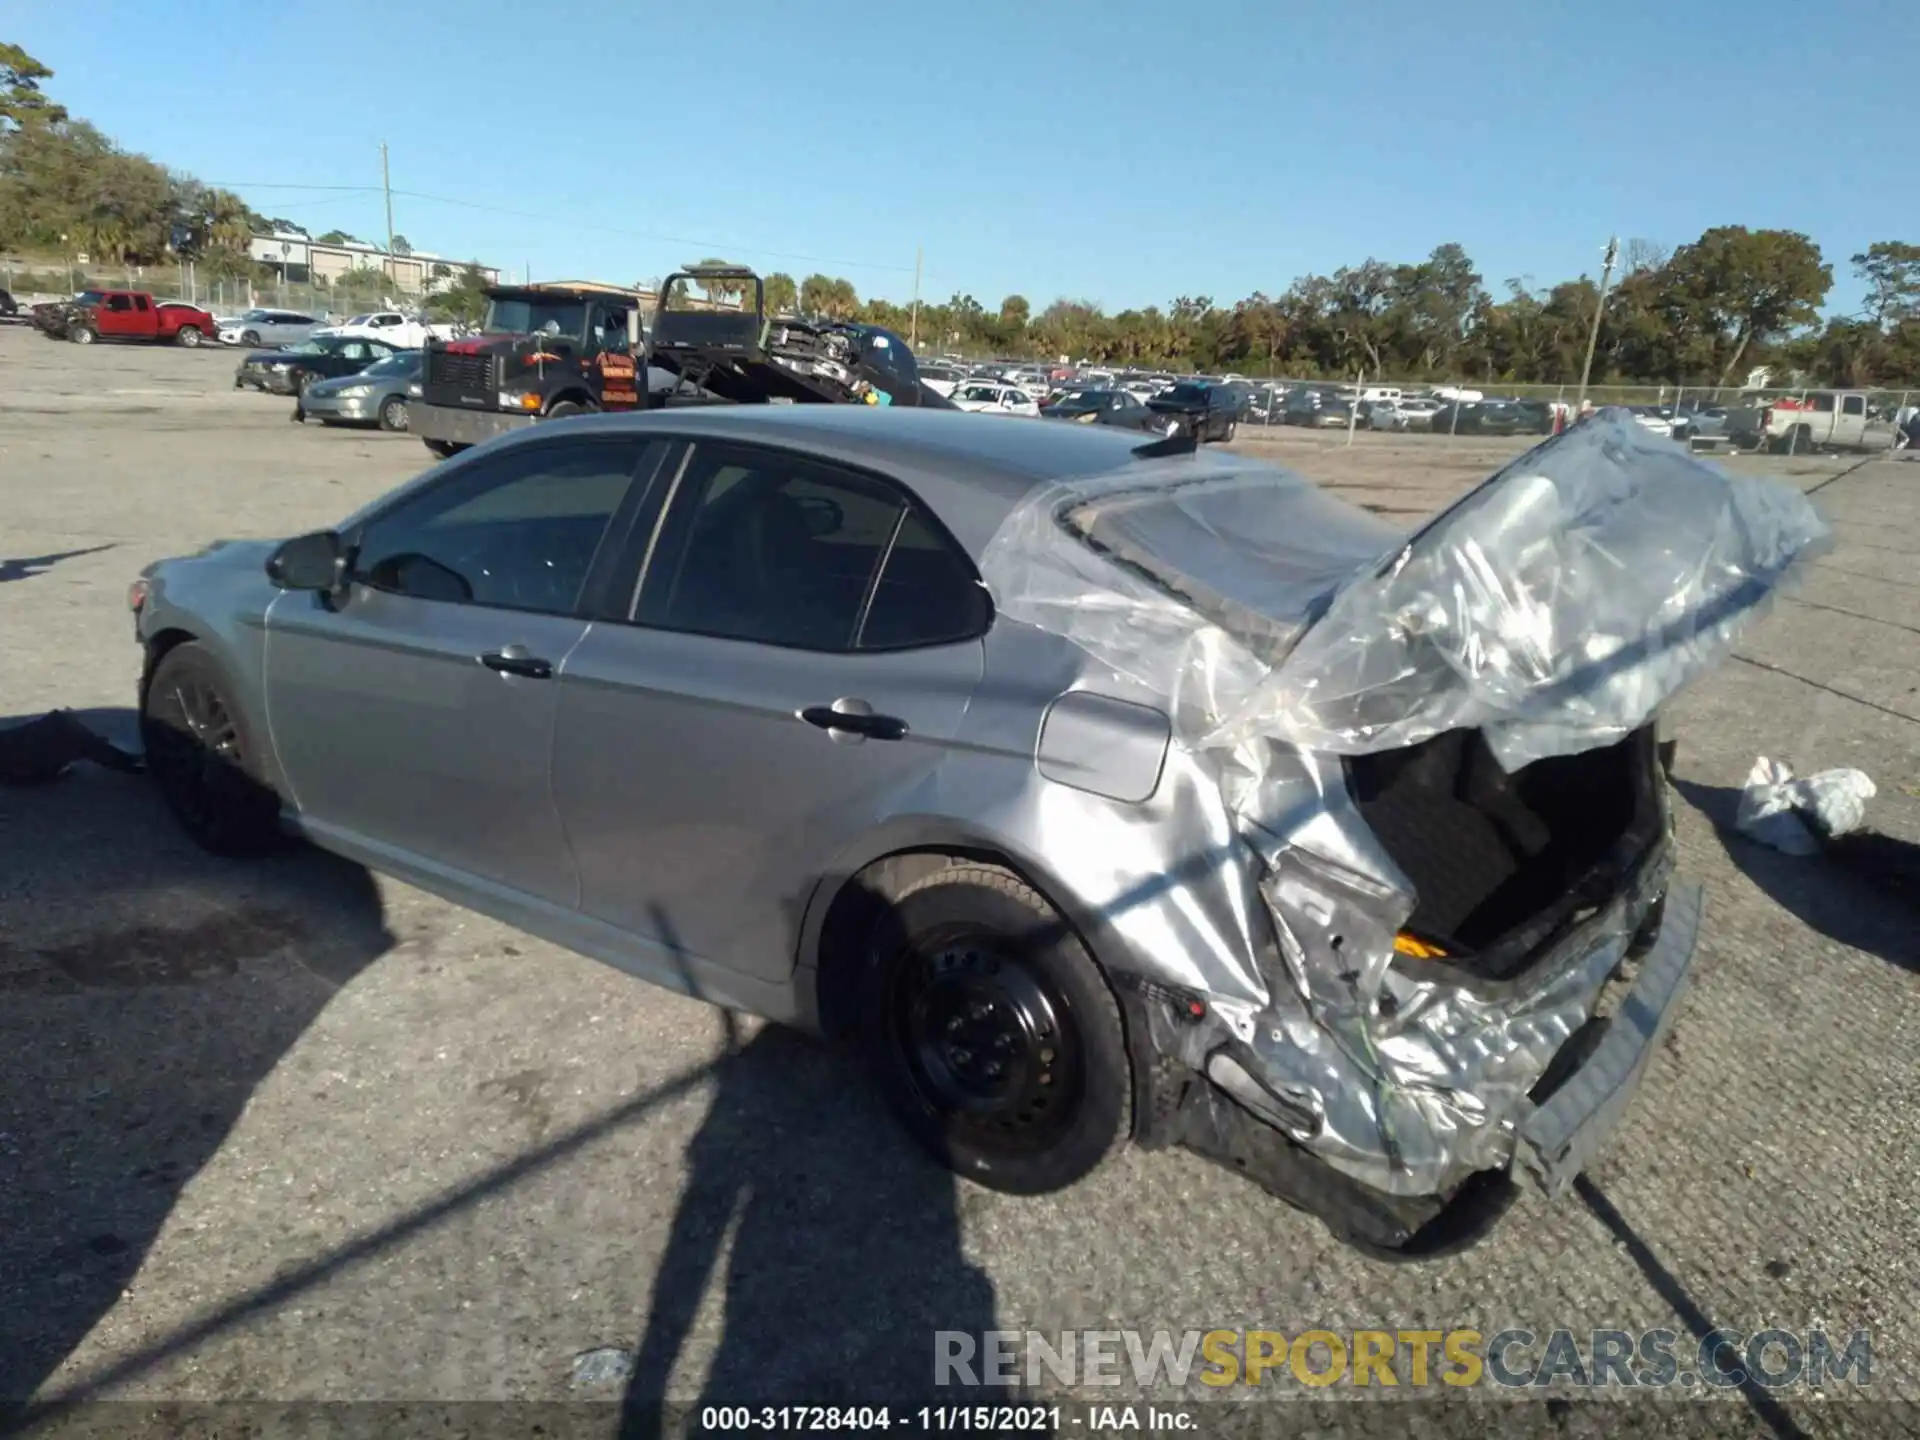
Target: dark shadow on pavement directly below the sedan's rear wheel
column 836, row 1241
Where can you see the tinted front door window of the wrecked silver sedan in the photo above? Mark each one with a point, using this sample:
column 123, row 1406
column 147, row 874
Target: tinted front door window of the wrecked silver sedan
column 517, row 531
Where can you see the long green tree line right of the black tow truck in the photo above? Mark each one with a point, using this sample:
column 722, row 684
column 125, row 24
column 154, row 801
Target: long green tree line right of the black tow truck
column 1704, row 314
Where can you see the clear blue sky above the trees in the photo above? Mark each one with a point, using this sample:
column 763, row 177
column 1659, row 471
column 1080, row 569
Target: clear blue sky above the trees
column 1122, row 153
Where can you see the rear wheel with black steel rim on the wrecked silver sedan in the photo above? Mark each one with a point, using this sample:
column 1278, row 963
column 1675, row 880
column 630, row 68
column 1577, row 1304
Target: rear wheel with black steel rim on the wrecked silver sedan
column 992, row 1032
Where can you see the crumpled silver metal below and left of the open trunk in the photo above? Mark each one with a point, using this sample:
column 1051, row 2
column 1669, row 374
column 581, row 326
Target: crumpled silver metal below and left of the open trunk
column 1414, row 1084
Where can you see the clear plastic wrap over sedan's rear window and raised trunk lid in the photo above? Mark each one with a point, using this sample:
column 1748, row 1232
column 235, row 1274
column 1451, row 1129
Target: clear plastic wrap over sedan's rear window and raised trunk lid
column 1556, row 608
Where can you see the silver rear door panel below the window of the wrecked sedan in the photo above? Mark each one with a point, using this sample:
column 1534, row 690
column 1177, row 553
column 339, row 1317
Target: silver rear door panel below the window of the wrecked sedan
column 702, row 807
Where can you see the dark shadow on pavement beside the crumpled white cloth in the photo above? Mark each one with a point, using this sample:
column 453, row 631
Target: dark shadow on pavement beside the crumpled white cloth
column 1861, row 890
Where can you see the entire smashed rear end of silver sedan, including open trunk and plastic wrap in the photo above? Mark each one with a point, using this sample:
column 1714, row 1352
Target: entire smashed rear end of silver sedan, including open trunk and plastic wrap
column 1437, row 761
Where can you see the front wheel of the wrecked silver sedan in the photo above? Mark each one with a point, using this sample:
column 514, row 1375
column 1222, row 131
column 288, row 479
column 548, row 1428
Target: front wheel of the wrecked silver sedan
column 203, row 757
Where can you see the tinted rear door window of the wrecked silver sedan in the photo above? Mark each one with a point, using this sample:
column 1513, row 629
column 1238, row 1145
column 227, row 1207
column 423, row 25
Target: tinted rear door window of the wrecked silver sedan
column 780, row 550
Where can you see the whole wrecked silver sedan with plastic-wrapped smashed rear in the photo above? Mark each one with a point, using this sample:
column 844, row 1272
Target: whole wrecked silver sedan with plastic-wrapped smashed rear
column 1092, row 790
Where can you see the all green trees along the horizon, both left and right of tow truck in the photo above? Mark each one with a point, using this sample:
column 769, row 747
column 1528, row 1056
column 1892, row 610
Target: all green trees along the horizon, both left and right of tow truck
column 1702, row 314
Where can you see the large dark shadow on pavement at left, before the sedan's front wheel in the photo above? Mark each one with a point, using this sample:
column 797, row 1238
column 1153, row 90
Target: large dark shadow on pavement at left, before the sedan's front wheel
column 145, row 992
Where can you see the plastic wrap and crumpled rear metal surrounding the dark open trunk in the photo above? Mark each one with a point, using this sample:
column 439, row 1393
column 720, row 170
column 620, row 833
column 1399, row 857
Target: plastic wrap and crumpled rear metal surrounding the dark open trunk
column 1556, row 610
